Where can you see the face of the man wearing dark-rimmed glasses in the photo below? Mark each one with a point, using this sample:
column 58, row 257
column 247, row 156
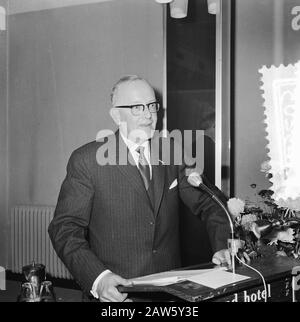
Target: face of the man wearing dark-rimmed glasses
column 135, row 126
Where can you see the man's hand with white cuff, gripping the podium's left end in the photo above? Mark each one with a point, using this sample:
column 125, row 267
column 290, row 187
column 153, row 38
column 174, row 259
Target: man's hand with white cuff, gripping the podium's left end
column 107, row 288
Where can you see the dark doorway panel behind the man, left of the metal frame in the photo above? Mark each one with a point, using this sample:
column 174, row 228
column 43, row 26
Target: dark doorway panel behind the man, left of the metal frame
column 191, row 105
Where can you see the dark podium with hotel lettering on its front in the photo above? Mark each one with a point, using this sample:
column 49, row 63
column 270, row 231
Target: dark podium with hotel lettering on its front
column 280, row 274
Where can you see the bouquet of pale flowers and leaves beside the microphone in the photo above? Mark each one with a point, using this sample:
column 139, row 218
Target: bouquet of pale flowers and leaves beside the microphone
column 266, row 229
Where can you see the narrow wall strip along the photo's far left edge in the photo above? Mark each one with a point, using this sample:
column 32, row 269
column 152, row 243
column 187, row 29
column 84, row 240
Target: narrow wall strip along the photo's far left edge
column 3, row 142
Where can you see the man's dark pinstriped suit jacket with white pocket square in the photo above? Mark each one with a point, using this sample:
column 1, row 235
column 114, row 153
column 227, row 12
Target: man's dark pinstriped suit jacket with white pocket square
column 105, row 220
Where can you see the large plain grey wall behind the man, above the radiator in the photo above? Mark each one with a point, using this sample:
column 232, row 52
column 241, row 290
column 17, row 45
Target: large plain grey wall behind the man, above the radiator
column 63, row 63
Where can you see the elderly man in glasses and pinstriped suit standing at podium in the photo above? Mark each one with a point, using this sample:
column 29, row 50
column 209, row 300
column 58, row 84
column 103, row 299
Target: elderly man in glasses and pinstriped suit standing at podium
column 117, row 221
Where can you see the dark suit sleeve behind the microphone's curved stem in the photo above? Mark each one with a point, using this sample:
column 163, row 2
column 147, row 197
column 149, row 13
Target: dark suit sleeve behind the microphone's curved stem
column 202, row 205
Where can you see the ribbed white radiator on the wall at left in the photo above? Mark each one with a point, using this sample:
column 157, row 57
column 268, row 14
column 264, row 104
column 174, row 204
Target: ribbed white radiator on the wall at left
column 30, row 240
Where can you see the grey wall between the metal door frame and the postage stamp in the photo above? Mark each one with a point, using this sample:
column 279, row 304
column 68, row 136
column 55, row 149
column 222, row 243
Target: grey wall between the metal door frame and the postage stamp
column 263, row 36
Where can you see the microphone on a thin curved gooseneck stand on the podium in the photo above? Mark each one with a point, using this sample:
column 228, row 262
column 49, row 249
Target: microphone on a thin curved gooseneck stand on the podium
column 195, row 180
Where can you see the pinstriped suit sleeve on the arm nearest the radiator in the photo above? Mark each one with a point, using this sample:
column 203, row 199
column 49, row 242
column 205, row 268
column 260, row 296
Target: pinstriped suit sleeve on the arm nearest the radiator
column 69, row 228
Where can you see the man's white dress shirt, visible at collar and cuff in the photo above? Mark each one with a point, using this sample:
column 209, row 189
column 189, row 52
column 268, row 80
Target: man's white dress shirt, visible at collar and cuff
column 132, row 146
